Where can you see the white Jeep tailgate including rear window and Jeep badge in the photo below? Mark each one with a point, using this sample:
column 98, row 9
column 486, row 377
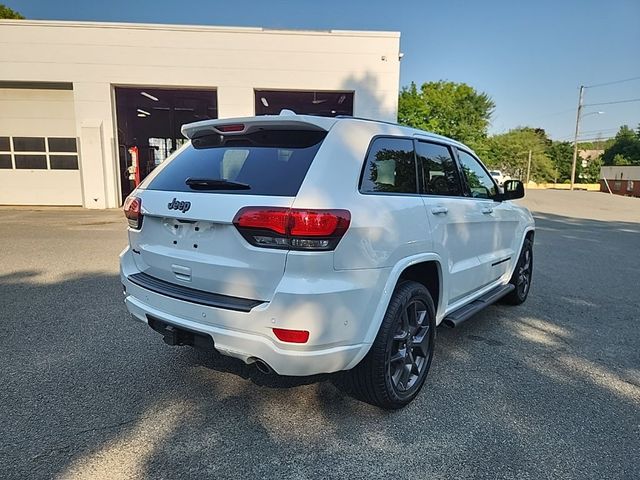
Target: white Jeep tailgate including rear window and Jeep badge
column 189, row 204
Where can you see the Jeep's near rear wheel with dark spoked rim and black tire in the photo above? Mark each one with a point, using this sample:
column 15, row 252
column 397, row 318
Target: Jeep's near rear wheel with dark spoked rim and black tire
column 394, row 370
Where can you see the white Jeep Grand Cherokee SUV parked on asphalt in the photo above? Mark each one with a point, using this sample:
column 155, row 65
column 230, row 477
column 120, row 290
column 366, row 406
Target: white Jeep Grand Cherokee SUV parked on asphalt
column 311, row 245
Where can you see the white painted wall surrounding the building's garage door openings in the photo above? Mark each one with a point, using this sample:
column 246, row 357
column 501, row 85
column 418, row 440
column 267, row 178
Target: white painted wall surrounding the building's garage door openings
column 235, row 61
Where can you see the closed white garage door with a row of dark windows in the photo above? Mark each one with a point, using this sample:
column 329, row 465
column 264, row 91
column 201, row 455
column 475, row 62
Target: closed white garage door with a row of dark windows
column 39, row 162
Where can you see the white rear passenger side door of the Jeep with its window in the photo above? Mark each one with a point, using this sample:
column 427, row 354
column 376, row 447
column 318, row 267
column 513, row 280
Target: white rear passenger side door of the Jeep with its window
column 454, row 219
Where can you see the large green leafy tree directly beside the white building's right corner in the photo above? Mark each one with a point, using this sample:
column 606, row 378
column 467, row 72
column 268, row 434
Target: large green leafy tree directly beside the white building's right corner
column 447, row 108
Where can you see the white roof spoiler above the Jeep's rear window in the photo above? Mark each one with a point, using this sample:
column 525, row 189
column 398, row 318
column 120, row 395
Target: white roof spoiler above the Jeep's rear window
column 287, row 120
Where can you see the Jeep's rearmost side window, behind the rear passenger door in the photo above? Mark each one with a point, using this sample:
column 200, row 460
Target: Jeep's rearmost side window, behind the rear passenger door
column 390, row 167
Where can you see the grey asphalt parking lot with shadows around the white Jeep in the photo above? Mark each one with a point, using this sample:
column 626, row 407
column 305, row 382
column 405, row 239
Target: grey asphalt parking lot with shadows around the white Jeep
column 550, row 389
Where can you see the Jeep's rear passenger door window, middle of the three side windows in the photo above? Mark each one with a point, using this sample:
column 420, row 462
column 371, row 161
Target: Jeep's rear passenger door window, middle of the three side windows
column 438, row 170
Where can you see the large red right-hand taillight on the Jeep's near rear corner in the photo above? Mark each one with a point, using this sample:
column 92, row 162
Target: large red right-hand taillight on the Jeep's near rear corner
column 292, row 228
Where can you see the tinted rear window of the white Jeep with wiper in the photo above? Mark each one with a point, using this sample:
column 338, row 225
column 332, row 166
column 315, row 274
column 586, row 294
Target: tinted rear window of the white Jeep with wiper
column 270, row 162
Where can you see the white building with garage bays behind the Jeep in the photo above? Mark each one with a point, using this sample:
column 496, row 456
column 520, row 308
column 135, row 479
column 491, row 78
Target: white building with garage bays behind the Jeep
column 75, row 97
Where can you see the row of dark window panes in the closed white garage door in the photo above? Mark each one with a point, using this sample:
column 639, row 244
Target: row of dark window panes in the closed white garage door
column 38, row 153
